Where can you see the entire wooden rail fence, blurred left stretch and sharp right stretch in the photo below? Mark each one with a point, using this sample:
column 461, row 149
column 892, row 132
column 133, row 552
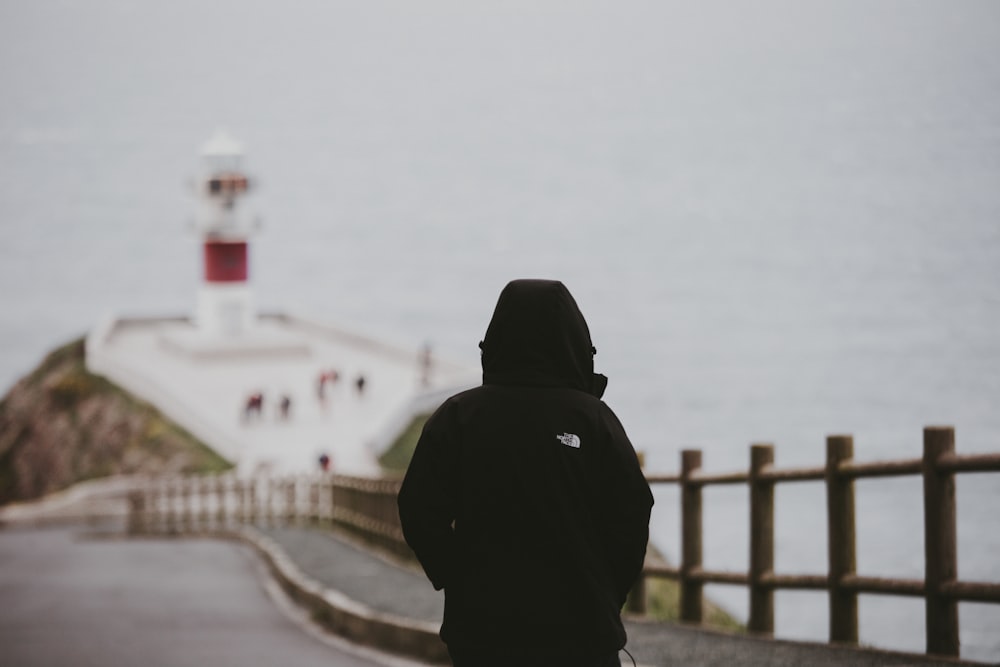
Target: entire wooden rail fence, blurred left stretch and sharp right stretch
column 367, row 507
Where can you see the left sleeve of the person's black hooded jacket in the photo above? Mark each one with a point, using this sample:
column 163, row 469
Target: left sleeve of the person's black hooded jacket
column 427, row 501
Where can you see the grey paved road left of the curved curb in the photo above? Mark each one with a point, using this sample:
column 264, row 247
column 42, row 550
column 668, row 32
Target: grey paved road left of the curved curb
column 70, row 599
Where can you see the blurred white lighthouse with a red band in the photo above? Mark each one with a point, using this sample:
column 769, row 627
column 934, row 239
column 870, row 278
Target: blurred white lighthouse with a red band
column 225, row 306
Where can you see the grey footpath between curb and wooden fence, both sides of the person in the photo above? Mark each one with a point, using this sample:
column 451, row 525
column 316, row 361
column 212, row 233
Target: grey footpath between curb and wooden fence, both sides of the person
column 388, row 587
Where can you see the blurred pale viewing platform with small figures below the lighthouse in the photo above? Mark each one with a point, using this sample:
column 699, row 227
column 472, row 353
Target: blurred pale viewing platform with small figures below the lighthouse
column 206, row 384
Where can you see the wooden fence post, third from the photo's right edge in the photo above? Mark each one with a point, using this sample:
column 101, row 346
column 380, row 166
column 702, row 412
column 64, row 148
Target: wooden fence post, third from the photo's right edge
column 761, row 541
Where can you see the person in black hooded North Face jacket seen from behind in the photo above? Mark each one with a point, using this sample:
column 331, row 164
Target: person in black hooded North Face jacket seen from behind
column 524, row 499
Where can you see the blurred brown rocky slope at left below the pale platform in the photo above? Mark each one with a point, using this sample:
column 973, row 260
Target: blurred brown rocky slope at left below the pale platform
column 60, row 425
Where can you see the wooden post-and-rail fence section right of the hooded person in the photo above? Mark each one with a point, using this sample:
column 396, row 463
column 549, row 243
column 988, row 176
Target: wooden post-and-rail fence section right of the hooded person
column 940, row 587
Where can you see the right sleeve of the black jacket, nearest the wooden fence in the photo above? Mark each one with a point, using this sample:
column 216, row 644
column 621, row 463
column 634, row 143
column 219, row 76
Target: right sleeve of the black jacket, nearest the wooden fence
column 627, row 507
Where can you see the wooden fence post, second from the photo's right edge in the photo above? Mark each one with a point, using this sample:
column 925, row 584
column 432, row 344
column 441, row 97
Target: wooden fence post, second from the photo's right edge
column 841, row 540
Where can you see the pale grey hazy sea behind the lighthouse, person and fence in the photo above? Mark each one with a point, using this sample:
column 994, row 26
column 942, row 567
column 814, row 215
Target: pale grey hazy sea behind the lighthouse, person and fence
column 782, row 219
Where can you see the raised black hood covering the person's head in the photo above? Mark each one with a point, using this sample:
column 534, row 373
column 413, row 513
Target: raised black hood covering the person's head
column 538, row 337
